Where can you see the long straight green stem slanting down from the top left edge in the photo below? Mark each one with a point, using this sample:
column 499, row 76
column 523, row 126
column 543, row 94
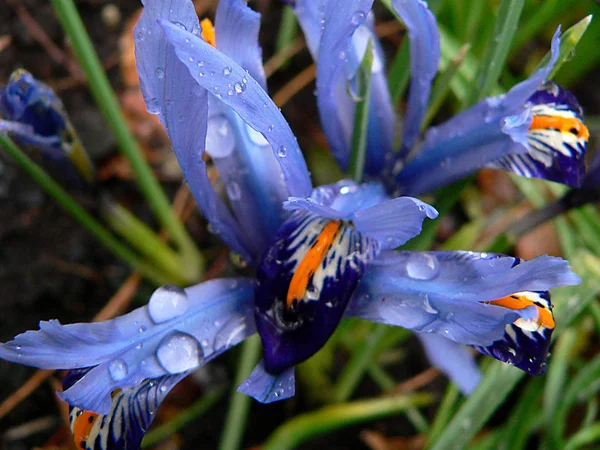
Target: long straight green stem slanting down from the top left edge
column 102, row 92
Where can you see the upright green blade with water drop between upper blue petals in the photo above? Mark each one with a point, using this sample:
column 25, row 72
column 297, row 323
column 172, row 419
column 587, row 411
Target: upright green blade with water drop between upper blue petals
column 358, row 144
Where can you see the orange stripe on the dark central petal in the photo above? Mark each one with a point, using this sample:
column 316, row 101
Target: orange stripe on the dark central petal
column 311, row 261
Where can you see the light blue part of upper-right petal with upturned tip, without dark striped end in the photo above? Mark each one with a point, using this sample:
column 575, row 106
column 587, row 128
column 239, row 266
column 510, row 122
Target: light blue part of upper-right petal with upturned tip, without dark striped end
column 486, row 132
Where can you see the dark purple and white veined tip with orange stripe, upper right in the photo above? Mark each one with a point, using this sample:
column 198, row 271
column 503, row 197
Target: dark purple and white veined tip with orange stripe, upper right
column 557, row 139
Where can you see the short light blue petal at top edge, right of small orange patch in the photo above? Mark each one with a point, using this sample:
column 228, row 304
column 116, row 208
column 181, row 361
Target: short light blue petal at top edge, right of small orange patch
column 236, row 30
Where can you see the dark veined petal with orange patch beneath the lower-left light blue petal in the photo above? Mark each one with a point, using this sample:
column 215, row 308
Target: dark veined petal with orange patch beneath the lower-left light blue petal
column 131, row 413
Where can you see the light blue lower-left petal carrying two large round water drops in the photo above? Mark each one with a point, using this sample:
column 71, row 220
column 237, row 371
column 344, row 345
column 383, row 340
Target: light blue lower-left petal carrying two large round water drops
column 178, row 331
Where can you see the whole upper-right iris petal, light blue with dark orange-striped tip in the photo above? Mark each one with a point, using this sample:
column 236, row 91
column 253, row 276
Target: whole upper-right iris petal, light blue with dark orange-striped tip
column 507, row 131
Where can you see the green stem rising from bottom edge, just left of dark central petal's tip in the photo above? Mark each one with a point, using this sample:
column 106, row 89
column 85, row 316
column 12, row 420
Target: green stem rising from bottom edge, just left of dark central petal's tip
column 239, row 404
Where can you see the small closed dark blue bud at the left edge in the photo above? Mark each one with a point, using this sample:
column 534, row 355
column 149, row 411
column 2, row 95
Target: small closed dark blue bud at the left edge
column 31, row 112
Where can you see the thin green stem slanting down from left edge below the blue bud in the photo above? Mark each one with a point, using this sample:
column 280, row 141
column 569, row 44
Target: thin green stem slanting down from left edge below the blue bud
column 79, row 214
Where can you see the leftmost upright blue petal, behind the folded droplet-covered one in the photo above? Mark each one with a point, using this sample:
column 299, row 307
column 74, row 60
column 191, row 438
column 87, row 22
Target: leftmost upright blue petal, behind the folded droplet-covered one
column 172, row 94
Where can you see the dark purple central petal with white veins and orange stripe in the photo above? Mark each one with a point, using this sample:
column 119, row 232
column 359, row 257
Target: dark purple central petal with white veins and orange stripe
column 305, row 281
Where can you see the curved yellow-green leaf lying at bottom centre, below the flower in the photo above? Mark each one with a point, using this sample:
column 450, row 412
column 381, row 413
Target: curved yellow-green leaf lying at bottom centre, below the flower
column 294, row 432
